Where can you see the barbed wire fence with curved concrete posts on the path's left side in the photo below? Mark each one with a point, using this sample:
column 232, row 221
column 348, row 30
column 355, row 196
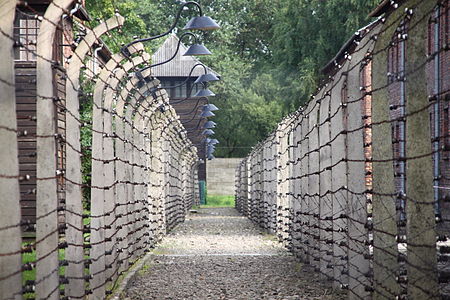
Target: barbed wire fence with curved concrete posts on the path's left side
column 142, row 178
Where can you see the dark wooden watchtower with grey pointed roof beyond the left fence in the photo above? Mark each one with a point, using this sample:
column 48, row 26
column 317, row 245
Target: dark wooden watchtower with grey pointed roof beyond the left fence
column 175, row 73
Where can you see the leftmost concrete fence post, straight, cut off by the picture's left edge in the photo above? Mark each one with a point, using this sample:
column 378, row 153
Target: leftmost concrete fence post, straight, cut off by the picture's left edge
column 10, row 215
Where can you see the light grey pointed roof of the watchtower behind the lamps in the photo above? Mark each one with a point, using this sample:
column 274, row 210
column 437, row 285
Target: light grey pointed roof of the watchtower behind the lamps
column 180, row 66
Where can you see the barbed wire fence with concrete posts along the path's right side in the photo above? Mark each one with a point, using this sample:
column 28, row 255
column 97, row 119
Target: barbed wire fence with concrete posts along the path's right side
column 356, row 183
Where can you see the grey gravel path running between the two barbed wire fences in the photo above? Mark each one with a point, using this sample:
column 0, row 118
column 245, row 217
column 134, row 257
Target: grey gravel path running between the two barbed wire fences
column 217, row 254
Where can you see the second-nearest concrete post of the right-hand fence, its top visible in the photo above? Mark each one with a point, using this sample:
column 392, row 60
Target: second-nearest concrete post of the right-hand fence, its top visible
column 385, row 248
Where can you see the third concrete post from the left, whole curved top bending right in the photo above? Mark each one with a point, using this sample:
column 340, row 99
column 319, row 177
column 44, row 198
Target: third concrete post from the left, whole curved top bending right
column 74, row 206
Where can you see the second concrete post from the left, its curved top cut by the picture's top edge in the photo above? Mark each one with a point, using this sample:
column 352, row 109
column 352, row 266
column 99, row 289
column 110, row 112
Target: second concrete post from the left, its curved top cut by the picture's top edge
column 47, row 266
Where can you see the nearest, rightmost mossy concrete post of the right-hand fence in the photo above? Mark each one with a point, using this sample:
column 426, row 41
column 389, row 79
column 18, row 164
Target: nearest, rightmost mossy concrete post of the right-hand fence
column 421, row 226
